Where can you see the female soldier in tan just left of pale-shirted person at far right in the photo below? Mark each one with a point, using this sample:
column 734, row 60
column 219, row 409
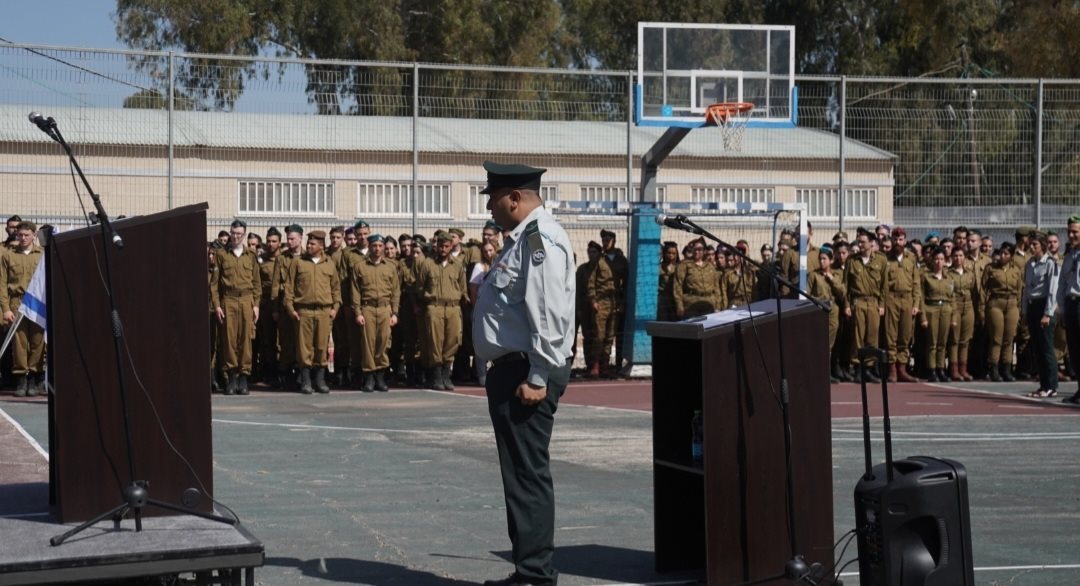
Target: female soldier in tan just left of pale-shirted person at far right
column 1001, row 293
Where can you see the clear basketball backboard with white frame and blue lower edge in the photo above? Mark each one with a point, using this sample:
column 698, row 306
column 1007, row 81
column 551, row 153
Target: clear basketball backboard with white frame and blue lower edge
column 684, row 67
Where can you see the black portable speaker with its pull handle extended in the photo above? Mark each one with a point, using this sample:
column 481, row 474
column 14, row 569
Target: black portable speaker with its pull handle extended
column 912, row 516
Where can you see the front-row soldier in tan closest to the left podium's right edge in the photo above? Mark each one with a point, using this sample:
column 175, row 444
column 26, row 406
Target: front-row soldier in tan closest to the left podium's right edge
column 237, row 293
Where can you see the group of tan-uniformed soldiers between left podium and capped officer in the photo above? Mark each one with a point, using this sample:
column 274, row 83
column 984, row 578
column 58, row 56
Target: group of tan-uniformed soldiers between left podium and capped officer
column 280, row 306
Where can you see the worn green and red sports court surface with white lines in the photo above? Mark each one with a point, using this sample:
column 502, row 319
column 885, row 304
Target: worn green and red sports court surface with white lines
column 403, row 487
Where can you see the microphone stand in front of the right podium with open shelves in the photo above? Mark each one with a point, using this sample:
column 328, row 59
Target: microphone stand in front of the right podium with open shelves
column 796, row 569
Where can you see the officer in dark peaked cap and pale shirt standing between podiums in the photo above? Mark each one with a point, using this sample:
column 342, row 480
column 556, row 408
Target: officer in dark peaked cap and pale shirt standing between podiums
column 523, row 323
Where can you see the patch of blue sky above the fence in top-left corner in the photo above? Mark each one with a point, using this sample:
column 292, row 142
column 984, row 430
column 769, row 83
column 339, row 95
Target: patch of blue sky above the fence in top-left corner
column 71, row 23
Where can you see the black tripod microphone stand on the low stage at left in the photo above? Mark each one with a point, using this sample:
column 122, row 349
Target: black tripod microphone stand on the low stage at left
column 136, row 496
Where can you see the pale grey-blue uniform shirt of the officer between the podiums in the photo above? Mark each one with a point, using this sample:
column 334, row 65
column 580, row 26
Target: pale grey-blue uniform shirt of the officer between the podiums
column 526, row 302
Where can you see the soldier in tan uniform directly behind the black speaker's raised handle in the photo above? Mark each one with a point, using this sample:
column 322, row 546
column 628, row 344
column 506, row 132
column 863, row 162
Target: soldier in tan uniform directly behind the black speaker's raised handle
column 867, row 279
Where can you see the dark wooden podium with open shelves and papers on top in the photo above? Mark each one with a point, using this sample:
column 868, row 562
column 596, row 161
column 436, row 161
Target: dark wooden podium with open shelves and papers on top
column 728, row 514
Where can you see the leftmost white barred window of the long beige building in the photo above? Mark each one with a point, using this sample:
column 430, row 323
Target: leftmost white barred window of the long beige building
column 292, row 198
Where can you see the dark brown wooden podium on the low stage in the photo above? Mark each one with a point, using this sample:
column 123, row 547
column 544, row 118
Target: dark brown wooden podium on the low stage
column 159, row 281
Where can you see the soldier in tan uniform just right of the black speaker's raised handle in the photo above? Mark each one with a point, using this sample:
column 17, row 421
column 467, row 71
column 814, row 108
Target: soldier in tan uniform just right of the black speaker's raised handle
column 903, row 302
